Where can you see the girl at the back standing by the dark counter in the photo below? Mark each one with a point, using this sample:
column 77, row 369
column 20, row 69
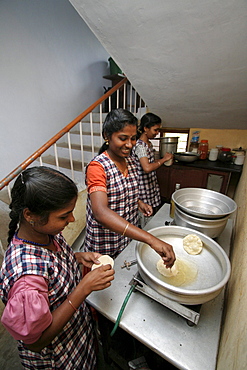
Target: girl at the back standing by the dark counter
column 143, row 153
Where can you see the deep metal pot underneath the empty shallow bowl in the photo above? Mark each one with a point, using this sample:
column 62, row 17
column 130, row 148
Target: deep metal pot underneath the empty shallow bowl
column 210, row 227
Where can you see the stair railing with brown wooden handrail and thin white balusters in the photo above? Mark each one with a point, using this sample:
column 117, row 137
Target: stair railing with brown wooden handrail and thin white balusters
column 125, row 96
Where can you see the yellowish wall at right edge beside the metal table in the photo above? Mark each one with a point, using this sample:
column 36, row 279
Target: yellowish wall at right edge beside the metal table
column 232, row 351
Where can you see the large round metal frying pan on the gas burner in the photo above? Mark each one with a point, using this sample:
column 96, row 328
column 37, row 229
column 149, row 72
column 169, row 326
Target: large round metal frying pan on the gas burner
column 212, row 264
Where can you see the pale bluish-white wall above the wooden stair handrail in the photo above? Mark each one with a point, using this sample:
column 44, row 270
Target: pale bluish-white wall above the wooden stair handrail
column 51, row 68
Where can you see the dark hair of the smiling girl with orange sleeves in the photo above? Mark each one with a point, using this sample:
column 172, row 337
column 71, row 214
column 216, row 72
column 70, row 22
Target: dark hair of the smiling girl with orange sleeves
column 115, row 121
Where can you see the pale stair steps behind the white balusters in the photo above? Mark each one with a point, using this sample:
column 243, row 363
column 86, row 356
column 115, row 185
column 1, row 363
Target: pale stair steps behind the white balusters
column 69, row 146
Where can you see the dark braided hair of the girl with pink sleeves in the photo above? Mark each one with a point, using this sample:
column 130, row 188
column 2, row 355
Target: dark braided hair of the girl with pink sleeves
column 41, row 190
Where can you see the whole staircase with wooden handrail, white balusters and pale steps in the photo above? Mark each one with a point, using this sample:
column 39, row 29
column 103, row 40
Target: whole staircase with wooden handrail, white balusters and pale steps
column 69, row 152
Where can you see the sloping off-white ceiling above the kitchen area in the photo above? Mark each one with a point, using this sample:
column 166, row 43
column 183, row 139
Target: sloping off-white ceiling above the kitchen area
column 187, row 59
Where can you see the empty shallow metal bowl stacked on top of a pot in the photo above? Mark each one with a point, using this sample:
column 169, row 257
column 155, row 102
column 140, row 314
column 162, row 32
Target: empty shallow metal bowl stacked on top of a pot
column 204, row 203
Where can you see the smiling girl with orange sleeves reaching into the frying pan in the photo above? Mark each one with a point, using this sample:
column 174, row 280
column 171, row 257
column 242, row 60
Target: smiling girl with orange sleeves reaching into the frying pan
column 113, row 193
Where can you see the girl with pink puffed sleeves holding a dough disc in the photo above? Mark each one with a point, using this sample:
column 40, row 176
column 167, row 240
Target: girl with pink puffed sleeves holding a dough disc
column 40, row 280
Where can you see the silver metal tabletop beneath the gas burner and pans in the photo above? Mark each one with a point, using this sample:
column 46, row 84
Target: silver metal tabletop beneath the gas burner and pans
column 157, row 327
